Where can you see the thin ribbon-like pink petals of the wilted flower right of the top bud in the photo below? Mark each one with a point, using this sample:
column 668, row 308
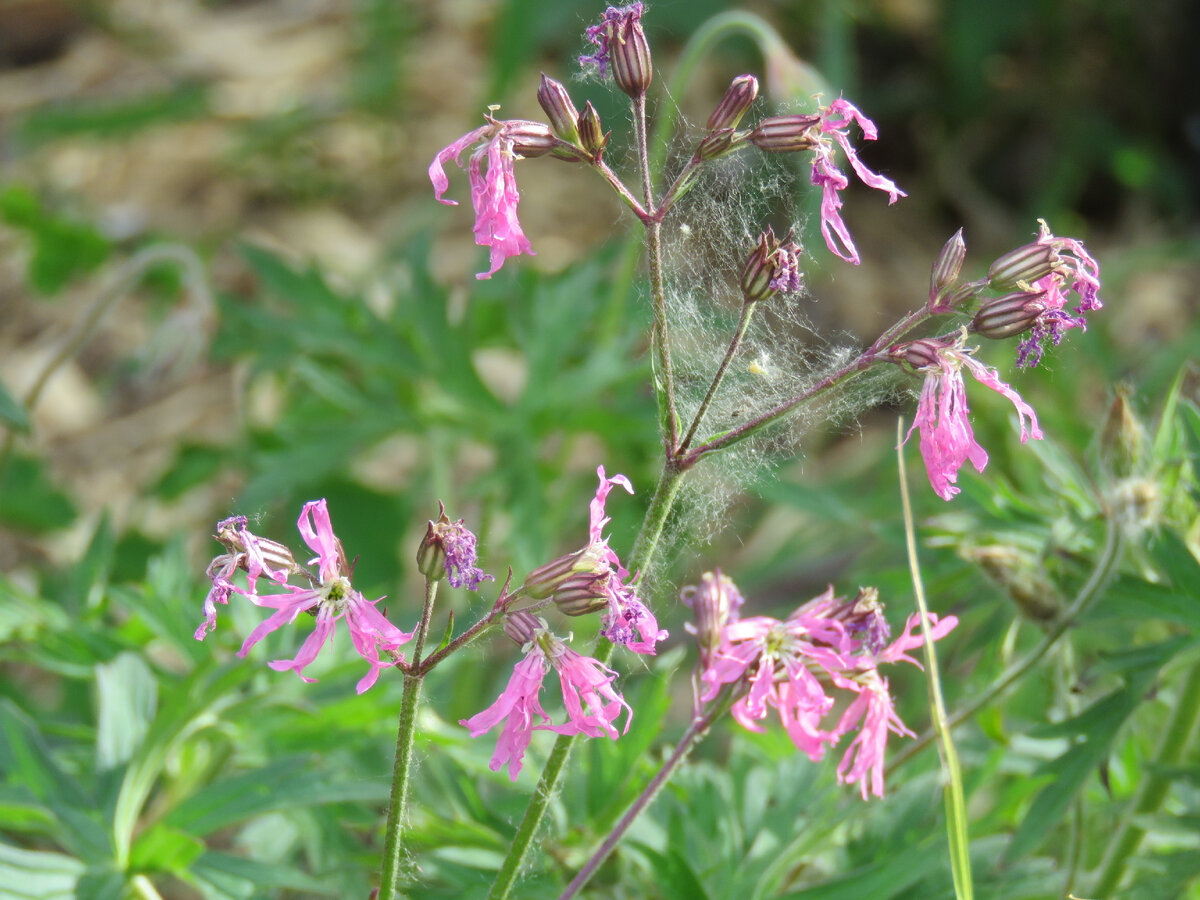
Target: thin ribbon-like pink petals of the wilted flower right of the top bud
column 836, row 121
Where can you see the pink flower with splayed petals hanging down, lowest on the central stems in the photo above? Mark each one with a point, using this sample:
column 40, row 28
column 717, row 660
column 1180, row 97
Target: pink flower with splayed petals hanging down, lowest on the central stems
column 589, row 697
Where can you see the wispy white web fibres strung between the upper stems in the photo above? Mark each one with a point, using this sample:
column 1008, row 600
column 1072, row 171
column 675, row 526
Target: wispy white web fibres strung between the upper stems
column 707, row 238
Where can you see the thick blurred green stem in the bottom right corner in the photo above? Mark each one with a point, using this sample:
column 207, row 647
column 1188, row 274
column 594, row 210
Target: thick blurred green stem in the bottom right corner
column 1156, row 781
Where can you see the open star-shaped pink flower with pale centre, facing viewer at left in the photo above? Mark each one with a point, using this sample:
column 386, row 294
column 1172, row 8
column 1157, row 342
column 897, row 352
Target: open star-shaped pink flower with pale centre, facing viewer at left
column 331, row 598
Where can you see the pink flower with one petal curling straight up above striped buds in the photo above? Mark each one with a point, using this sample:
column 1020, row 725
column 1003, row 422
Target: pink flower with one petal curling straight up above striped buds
column 593, row 579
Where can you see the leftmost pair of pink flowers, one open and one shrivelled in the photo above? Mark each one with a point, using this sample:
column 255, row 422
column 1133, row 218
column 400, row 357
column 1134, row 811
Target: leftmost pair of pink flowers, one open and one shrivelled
column 329, row 598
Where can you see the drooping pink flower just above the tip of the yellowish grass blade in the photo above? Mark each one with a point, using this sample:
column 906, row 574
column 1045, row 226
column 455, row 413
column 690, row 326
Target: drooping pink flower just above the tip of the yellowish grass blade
column 947, row 440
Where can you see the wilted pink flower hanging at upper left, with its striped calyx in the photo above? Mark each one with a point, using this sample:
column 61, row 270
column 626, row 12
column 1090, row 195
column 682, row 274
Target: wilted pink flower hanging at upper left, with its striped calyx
column 494, row 193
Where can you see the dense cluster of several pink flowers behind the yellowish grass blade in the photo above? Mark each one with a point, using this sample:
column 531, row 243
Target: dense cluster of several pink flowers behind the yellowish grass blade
column 796, row 667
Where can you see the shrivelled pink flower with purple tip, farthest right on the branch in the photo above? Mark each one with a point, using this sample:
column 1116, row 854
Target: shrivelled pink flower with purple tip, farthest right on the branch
column 1075, row 271
